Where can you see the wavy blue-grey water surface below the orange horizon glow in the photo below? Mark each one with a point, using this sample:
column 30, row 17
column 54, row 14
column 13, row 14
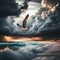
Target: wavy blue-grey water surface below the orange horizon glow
column 34, row 50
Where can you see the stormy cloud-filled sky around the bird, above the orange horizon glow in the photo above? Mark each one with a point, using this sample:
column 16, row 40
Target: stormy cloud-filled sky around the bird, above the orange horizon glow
column 39, row 22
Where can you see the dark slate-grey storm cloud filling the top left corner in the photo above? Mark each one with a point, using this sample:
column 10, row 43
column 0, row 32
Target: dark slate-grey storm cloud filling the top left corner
column 11, row 8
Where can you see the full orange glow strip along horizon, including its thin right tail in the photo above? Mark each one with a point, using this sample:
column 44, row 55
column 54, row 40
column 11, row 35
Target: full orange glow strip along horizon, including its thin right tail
column 27, row 39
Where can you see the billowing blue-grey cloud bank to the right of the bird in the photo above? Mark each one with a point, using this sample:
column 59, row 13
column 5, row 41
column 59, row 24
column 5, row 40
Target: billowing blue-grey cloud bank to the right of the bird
column 47, row 23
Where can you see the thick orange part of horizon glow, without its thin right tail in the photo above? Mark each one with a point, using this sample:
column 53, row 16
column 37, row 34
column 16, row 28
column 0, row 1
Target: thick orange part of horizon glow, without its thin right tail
column 18, row 39
